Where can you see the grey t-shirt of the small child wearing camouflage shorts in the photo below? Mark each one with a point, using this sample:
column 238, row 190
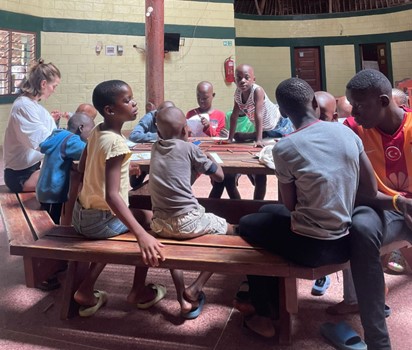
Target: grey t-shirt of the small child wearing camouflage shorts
column 174, row 165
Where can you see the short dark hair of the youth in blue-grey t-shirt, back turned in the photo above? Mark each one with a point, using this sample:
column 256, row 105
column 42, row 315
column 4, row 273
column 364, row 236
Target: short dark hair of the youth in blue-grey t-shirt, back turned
column 293, row 95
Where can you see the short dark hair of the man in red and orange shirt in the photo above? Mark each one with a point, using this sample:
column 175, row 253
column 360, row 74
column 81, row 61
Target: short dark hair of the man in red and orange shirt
column 370, row 80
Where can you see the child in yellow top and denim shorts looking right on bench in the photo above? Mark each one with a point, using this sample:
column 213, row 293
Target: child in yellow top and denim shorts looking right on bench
column 102, row 209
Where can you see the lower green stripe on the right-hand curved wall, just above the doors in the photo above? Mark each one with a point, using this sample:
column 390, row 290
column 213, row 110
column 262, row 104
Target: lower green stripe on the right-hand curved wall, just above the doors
column 332, row 40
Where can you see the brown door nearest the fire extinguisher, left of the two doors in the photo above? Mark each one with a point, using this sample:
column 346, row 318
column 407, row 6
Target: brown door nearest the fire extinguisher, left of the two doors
column 307, row 66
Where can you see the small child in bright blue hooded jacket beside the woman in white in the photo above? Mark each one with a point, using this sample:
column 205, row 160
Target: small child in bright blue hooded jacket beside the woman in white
column 61, row 148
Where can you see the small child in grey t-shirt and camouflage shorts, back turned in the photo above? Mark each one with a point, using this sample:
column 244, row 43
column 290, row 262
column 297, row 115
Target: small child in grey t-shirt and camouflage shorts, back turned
column 174, row 165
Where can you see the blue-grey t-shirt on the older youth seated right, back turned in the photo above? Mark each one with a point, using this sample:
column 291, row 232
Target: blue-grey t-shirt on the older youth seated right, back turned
column 322, row 160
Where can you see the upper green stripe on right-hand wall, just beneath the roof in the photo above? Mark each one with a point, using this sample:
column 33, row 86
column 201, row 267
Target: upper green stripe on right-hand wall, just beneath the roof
column 325, row 15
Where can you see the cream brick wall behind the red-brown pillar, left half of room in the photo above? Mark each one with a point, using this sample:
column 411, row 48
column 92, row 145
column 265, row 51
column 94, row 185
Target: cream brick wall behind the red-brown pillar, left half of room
column 74, row 54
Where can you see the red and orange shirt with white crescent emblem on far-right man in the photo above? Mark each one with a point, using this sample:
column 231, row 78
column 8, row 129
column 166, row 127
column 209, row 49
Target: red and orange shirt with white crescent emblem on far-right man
column 390, row 155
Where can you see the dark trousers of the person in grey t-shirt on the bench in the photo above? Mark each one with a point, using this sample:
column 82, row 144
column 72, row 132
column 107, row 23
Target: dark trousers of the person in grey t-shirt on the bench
column 270, row 228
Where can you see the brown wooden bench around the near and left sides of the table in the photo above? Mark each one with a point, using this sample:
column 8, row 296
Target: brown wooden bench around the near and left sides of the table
column 45, row 246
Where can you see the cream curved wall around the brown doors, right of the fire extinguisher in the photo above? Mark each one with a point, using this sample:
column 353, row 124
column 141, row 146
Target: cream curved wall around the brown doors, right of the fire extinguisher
column 339, row 59
